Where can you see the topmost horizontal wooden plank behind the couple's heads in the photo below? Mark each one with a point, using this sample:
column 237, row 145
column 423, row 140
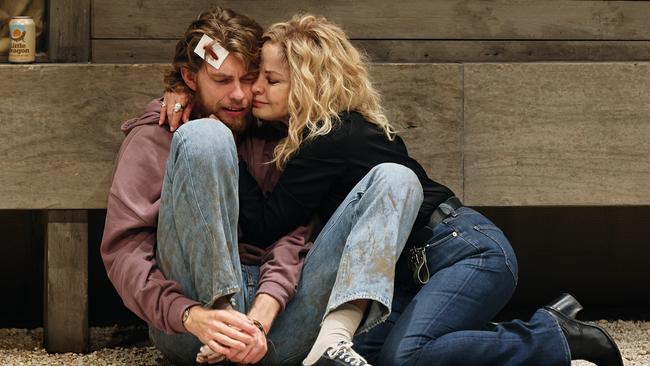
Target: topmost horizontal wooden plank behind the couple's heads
column 384, row 19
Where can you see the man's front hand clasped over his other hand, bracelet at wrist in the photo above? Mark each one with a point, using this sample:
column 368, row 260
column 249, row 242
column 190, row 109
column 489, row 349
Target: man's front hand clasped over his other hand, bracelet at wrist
column 226, row 332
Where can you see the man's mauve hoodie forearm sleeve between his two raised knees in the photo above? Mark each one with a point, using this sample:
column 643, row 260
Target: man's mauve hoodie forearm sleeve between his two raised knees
column 282, row 265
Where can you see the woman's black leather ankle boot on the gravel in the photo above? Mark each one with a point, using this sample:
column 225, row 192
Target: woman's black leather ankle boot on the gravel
column 588, row 341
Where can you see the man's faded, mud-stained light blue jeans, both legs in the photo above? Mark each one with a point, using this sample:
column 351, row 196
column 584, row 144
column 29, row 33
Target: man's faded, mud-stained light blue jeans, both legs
column 353, row 257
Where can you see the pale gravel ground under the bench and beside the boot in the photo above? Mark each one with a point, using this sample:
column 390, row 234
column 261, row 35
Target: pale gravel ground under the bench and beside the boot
column 126, row 346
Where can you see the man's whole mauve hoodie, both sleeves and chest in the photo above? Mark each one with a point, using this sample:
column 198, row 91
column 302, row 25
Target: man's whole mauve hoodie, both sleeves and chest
column 128, row 245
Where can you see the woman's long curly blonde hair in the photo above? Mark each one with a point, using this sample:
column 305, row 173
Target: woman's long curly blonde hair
column 328, row 76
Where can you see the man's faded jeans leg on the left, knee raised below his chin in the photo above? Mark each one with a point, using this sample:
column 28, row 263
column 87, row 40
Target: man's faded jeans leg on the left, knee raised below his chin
column 197, row 226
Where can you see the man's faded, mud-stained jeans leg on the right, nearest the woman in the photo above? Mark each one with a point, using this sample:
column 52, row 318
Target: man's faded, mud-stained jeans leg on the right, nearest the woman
column 353, row 257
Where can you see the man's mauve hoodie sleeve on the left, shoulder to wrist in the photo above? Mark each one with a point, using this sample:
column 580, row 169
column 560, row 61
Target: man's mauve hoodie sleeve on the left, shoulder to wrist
column 128, row 245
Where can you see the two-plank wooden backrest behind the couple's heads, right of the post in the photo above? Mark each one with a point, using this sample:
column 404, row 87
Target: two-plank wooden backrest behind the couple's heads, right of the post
column 405, row 31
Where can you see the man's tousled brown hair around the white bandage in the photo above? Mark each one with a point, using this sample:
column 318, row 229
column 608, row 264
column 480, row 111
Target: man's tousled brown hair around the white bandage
column 238, row 34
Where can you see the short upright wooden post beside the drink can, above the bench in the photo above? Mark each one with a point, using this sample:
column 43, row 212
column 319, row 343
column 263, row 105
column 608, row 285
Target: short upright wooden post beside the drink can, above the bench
column 69, row 30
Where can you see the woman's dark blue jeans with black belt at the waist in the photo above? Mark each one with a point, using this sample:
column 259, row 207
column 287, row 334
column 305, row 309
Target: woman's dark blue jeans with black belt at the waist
column 445, row 322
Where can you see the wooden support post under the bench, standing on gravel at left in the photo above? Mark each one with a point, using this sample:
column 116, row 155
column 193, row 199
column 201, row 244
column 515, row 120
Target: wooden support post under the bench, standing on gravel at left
column 65, row 315
